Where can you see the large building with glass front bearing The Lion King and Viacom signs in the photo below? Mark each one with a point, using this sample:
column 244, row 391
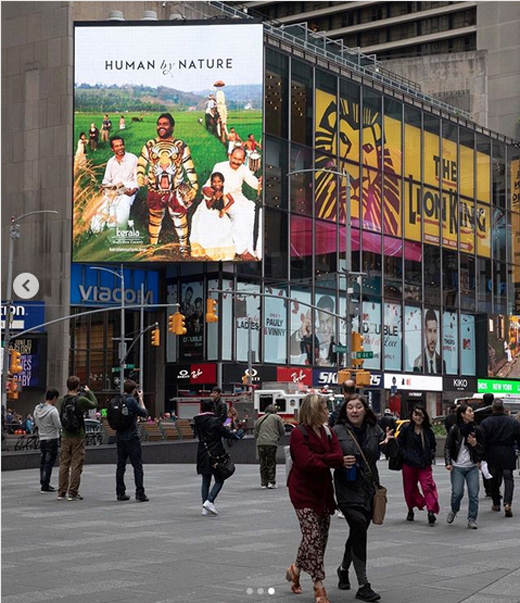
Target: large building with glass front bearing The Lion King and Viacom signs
column 352, row 158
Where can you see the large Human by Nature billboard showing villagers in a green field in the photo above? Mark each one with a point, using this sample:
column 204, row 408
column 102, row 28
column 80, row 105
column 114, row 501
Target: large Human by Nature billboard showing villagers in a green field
column 168, row 142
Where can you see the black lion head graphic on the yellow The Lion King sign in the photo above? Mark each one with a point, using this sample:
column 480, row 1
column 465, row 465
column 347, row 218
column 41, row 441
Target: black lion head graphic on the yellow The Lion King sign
column 366, row 190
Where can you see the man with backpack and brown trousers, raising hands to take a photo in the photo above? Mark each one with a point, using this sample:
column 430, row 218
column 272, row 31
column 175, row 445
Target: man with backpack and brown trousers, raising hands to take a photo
column 72, row 409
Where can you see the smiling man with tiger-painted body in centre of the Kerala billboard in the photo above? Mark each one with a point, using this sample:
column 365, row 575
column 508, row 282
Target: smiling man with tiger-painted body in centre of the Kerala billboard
column 166, row 168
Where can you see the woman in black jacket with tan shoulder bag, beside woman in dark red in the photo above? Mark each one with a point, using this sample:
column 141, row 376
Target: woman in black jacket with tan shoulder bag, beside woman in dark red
column 357, row 428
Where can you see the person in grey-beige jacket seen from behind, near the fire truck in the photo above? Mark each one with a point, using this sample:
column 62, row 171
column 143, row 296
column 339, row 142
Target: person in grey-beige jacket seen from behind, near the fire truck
column 268, row 431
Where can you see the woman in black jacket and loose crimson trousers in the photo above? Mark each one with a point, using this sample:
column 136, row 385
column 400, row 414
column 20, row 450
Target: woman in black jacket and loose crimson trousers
column 418, row 445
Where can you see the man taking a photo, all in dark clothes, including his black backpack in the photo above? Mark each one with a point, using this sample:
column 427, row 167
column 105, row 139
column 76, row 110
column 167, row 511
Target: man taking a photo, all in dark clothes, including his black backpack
column 122, row 416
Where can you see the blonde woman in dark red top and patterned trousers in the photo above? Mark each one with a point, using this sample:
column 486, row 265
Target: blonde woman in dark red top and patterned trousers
column 314, row 451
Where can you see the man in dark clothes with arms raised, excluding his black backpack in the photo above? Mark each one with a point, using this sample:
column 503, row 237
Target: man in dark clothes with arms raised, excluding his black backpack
column 128, row 445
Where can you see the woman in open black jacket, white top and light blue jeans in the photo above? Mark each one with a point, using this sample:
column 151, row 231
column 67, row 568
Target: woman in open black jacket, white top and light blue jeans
column 461, row 456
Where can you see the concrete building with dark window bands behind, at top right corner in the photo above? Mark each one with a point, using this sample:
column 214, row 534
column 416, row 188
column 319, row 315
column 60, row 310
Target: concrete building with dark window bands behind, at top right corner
column 464, row 53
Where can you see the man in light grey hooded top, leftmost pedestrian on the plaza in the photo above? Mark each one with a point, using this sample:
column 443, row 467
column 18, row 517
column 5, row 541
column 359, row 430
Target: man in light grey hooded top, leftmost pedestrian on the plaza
column 47, row 419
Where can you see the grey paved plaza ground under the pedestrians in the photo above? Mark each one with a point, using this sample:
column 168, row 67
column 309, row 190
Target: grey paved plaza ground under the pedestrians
column 164, row 551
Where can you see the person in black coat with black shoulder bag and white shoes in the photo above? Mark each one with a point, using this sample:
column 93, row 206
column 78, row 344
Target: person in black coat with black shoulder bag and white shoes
column 210, row 431
